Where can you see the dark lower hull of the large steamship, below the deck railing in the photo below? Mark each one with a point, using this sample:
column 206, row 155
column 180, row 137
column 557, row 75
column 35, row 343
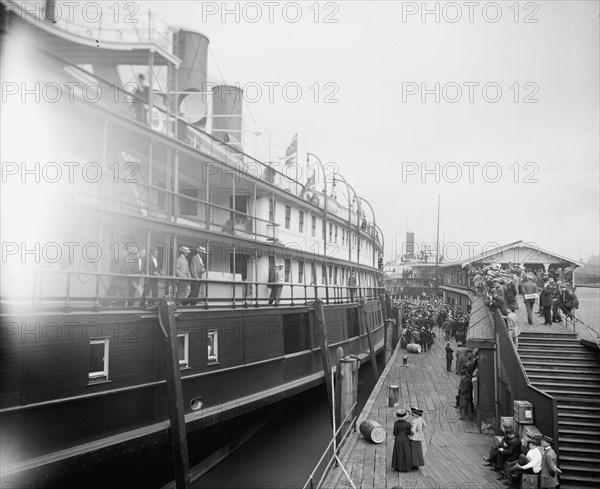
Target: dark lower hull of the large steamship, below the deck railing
column 53, row 419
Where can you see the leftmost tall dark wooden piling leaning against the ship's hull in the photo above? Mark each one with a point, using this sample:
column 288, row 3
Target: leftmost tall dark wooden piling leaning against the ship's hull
column 166, row 318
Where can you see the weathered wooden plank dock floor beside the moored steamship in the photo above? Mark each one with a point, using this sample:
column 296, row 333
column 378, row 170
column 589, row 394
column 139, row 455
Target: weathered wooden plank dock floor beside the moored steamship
column 453, row 449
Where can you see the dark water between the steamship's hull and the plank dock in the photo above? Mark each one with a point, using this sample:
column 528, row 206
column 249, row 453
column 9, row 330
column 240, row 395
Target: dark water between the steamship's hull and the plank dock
column 284, row 452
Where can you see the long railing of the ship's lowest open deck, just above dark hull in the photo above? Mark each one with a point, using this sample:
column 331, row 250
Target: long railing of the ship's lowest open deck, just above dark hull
column 117, row 291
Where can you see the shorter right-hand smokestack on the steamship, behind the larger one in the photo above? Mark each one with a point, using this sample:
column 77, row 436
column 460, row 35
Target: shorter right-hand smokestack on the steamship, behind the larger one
column 227, row 114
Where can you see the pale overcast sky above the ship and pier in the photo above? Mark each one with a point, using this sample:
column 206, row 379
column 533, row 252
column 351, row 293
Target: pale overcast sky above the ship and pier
column 503, row 97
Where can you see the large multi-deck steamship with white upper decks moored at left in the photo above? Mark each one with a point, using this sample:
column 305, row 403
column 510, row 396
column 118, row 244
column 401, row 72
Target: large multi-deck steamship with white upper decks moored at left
column 94, row 172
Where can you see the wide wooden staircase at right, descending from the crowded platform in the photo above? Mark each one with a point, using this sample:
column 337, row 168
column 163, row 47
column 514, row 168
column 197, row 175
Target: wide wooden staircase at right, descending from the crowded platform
column 561, row 366
